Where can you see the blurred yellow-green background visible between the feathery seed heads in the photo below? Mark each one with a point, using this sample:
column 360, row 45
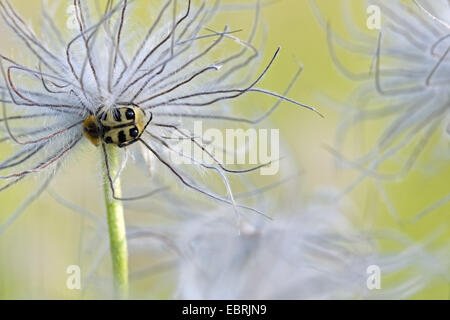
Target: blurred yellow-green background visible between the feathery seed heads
column 37, row 248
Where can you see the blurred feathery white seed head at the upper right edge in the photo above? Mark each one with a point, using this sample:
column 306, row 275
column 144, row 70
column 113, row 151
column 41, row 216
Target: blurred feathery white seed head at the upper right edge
column 401, row 103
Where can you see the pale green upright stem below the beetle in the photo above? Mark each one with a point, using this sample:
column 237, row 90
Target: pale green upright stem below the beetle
column 116, row 226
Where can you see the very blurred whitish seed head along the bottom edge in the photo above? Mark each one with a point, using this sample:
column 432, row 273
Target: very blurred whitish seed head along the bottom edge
column 316, row 253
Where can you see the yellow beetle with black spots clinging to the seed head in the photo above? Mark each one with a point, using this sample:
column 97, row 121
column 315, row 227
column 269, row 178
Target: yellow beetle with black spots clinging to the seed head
column 120, row 125
